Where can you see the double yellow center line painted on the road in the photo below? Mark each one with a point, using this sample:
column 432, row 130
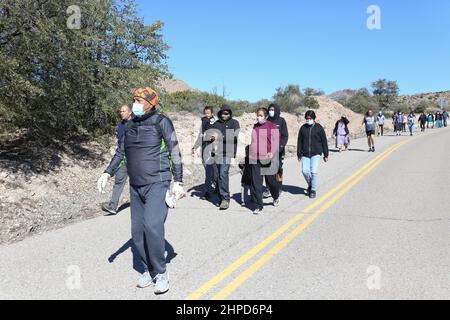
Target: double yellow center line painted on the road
column 324, row 203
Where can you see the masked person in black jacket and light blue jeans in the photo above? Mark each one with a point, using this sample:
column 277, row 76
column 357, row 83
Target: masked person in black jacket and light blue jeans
column 311, row 145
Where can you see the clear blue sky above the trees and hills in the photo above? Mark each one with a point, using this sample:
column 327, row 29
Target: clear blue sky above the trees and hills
column 253, row 47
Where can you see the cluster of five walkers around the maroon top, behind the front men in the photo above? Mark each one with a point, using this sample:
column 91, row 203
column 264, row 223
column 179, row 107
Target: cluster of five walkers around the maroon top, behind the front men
column 264, row 157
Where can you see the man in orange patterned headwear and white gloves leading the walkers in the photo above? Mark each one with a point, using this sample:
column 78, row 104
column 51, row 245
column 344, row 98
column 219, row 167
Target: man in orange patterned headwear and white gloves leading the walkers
column 151, row 148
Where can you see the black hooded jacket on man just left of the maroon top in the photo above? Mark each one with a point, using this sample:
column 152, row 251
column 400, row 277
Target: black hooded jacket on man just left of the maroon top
column 228, row 134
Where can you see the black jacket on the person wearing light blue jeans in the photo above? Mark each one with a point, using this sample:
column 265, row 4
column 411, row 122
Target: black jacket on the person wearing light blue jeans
column 312, row 141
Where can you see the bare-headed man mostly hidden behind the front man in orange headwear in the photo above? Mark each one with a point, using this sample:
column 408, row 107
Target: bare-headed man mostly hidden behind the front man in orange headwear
column 121, row 176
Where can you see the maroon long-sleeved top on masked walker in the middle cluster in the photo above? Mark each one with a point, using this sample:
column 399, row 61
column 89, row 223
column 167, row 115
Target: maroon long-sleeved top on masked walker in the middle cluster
column 265, row 140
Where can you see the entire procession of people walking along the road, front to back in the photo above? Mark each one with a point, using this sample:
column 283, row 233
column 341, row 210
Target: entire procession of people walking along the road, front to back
column 148, row 153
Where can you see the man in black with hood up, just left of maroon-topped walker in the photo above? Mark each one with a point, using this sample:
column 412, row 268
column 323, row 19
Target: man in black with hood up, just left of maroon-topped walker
column 226, row 133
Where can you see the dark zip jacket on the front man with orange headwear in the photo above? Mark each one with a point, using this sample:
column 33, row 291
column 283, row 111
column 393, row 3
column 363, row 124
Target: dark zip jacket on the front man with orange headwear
column 151, row 148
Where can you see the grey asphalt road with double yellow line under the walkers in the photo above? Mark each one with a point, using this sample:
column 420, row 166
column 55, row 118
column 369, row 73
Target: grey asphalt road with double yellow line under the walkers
column 378, row 230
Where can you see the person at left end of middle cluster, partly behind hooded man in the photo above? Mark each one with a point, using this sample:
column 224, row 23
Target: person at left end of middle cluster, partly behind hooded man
column 204, row 141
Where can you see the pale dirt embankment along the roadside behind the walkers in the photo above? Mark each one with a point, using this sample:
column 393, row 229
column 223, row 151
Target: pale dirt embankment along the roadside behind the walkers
column 32, row 202
